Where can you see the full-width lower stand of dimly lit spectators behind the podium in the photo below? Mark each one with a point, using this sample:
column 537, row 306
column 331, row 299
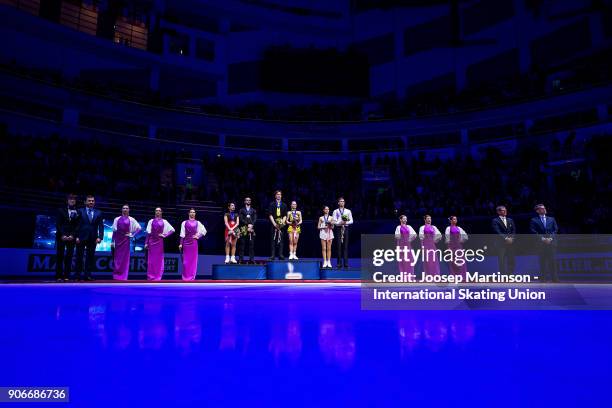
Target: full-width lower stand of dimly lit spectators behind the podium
column 578, row 192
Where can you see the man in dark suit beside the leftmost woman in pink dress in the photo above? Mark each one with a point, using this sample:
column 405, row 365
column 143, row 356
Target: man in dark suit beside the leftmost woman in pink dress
column 91, row 233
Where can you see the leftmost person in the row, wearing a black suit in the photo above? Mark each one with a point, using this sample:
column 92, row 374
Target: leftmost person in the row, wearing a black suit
column 67, row 228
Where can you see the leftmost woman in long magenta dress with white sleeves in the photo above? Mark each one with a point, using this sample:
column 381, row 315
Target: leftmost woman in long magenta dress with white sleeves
column 124, row 229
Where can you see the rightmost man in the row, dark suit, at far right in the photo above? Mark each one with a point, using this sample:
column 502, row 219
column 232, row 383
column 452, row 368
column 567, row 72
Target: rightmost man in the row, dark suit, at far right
column 545, row 228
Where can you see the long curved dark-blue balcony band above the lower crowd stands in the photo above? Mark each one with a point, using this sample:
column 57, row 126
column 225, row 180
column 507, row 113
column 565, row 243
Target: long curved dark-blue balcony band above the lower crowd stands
column 38, row 95
